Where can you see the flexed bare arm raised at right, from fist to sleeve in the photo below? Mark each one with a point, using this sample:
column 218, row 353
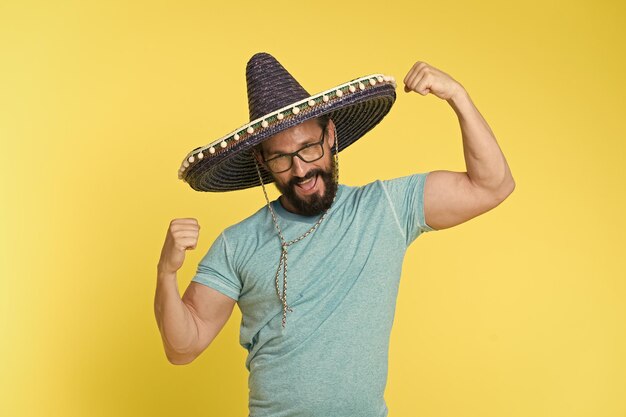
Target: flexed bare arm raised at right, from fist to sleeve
column 451, row 198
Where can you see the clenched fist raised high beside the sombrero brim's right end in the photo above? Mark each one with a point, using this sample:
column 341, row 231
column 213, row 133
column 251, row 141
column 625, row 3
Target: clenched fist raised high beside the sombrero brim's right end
column 424, row 79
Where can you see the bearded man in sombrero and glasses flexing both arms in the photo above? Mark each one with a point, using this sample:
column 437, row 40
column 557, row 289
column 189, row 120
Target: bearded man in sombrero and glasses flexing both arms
column 340, row 248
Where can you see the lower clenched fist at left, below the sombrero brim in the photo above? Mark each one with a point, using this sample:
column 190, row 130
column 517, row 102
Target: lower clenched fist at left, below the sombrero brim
column 181, row 236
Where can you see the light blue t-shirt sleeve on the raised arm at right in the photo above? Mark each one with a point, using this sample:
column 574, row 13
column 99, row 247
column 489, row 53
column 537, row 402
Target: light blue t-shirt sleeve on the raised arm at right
column 406, row 197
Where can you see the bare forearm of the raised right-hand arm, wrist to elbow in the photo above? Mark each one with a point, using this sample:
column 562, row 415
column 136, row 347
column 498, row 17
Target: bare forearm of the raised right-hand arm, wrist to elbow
column 486, row 165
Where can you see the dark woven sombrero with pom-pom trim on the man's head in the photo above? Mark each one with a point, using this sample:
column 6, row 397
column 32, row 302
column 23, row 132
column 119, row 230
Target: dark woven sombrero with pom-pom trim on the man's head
column 277, row 102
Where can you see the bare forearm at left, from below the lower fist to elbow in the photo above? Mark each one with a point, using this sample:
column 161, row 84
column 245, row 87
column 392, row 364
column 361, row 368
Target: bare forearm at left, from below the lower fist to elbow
column 176, row 324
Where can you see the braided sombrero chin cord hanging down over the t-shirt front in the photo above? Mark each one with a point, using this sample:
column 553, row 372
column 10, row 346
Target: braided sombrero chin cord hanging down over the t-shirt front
column 282, row 263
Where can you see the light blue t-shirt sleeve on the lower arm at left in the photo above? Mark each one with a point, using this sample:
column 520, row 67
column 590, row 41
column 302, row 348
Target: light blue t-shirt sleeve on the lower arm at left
column 215, row 270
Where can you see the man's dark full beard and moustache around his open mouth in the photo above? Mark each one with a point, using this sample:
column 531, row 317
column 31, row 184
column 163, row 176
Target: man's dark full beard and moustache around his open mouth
column 314, row 204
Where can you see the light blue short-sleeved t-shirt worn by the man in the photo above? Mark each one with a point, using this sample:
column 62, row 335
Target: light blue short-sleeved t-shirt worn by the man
column 342, row 281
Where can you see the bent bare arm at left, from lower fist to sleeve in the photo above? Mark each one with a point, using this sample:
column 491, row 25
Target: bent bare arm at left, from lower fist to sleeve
column 190, row 324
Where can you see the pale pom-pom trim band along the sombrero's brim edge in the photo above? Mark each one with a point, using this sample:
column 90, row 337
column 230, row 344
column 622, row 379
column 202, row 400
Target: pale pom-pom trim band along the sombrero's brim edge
column 267, row 121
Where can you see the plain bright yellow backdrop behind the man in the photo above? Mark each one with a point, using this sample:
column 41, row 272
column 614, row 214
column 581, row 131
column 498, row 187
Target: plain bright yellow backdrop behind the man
column 519, row 312
